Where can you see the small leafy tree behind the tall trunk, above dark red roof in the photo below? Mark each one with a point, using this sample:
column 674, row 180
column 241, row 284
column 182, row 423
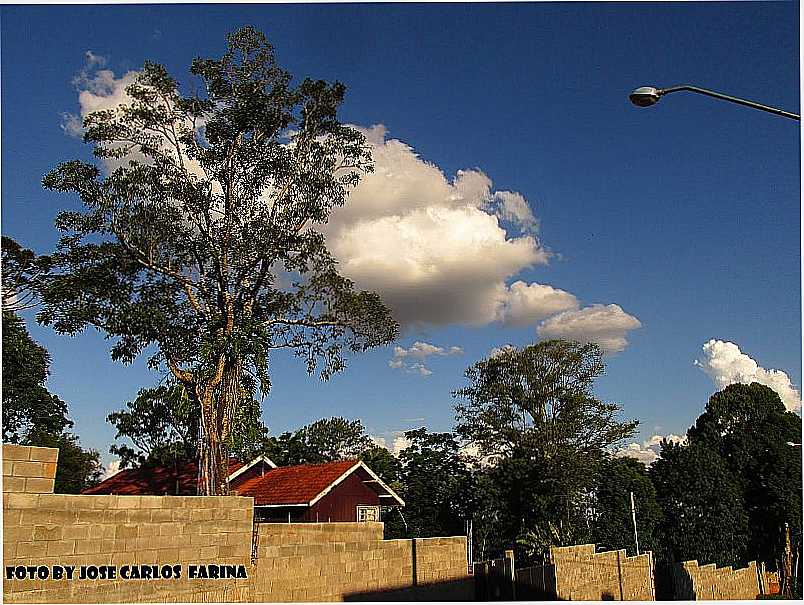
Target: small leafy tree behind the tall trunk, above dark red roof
column 161, row 425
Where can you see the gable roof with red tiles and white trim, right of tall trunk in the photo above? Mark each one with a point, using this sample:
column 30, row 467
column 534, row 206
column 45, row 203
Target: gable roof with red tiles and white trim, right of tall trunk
column 305, row 484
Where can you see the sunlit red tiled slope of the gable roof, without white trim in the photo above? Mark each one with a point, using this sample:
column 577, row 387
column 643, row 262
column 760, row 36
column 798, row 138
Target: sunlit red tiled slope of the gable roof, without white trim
column 293, row 484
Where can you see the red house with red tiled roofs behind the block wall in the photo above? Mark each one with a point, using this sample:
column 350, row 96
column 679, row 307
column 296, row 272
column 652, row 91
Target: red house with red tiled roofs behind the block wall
column 345, row 490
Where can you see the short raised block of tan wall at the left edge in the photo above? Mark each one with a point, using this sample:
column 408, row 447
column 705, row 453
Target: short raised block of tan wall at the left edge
column 29, row 470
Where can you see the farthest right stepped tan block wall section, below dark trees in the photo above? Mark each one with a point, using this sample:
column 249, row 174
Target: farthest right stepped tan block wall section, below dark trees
column 708, row 582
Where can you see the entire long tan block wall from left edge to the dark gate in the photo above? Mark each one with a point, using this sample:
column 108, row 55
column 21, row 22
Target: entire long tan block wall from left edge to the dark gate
column 294, row 562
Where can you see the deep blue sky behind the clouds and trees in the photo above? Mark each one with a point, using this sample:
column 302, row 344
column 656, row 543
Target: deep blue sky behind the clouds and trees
column 685, row 215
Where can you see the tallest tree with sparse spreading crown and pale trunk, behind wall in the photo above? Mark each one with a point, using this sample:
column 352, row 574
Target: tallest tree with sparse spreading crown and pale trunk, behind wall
column 202, row 240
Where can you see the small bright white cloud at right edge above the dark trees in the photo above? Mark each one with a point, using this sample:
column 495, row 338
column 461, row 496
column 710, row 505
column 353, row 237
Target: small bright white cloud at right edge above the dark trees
column 726, row 364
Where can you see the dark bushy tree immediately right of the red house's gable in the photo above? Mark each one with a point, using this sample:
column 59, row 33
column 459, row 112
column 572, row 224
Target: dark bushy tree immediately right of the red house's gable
column 436, row 480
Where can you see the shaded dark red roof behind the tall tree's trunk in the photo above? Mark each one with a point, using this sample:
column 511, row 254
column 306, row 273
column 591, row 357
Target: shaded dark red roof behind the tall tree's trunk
column 156, row 480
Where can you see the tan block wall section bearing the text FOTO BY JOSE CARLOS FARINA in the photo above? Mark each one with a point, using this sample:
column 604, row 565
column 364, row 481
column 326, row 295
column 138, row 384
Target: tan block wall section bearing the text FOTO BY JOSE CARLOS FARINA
column 54, row 529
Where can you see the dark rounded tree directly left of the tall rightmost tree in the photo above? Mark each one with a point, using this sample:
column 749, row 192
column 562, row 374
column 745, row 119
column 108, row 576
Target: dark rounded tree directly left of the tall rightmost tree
column 704, row 516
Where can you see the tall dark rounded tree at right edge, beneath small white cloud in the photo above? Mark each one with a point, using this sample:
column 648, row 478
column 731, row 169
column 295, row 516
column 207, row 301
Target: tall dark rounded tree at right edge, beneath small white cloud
column 749, row 427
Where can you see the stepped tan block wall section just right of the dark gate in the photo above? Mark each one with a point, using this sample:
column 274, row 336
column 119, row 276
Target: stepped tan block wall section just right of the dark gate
column 581, row 574
